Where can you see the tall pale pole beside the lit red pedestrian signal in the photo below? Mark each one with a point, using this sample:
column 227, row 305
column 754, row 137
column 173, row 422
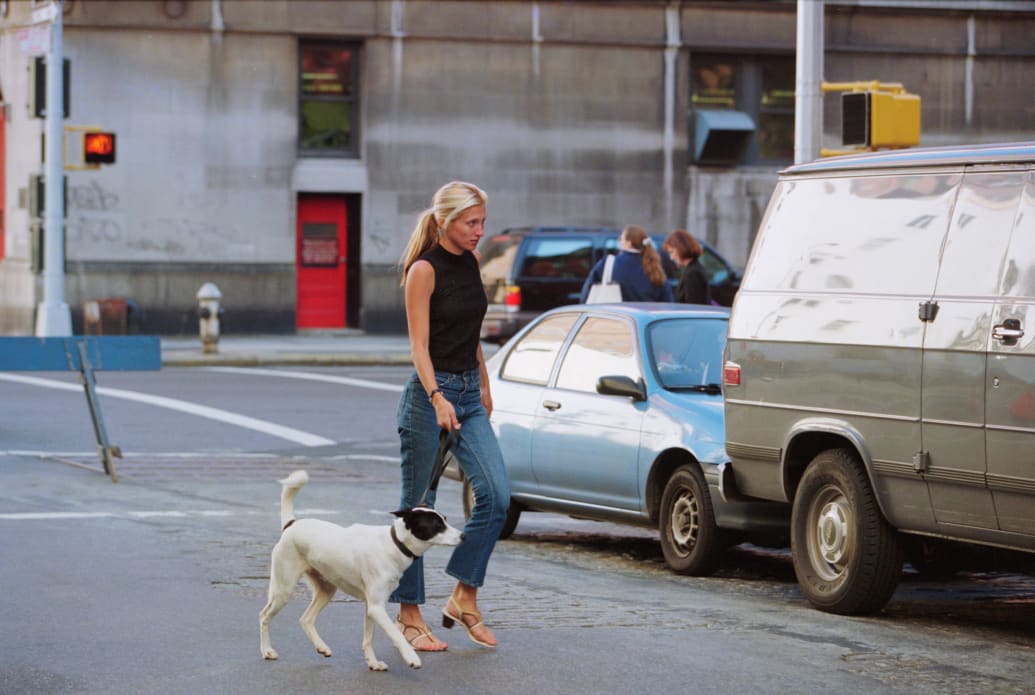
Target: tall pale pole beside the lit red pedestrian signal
column 53, row 317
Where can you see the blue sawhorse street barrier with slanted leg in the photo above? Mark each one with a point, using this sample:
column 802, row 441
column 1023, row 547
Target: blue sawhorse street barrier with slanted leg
column 84, row 355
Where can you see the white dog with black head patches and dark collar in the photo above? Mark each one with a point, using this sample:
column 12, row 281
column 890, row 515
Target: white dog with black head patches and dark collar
column 365, row 562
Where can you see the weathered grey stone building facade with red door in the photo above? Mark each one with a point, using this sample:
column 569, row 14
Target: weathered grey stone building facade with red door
column 250, row 131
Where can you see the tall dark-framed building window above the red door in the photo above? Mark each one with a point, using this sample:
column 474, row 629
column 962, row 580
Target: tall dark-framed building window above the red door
column 328, row 99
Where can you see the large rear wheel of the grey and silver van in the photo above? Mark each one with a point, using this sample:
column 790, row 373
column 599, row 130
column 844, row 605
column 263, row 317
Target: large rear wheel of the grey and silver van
column 847, row 558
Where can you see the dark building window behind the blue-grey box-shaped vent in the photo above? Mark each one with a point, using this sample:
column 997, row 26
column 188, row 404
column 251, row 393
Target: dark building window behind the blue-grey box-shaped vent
column 759, row 86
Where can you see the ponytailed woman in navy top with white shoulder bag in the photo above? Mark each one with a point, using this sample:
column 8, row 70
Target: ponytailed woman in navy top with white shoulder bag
column 638, row 270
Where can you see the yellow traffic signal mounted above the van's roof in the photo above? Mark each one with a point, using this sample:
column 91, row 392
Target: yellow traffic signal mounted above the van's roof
column 876, row 119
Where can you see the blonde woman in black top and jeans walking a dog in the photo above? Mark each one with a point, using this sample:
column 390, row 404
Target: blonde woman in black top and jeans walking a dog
column 450, row 391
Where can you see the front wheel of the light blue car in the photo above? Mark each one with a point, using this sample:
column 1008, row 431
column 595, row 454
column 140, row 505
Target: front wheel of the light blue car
column 691, row 541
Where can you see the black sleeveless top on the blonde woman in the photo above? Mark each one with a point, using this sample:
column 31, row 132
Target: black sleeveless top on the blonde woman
column 458, row 306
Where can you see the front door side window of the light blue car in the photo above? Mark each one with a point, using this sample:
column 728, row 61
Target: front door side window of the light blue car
column 602, row 347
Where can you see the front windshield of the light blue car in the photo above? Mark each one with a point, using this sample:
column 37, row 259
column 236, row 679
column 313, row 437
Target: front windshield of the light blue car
column 688, row 353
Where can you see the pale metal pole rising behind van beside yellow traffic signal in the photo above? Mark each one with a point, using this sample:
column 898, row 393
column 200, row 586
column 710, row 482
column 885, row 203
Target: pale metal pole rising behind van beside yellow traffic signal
column 809, row 82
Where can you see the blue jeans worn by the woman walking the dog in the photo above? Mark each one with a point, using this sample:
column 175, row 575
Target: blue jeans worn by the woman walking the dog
column 480, row 457
